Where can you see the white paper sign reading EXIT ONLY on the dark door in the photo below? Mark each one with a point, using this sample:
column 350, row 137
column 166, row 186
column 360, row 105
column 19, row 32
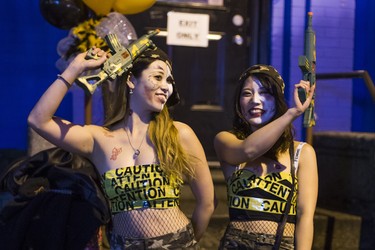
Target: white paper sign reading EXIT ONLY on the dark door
column 187, row 29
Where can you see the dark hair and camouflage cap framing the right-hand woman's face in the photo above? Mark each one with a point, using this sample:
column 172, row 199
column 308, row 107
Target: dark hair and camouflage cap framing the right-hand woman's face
column 272, row 82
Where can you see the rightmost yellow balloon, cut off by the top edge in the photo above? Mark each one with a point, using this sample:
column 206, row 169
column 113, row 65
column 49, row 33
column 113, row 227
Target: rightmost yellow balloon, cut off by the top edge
column 132, row 6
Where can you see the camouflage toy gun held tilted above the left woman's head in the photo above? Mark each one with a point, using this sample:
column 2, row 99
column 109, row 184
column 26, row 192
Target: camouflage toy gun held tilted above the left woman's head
column 120, row 62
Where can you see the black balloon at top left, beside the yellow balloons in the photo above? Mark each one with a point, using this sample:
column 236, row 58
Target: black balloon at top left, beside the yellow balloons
column 63, row 14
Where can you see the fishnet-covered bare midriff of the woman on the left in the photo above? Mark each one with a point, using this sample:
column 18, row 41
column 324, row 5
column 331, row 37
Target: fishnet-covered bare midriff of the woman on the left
column 147, row 223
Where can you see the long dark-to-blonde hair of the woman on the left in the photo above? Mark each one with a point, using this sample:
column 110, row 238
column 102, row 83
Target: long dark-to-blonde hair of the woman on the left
column 164, row 135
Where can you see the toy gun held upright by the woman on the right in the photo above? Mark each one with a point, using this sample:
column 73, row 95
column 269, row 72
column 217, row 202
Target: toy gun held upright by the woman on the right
column 307, row 63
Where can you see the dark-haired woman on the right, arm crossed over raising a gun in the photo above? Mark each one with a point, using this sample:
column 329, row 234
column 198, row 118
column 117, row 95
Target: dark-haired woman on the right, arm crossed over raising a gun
column 272, row 179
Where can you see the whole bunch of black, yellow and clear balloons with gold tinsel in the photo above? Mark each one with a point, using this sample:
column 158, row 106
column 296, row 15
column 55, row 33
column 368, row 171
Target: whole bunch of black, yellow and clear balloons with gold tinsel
column 89, row 22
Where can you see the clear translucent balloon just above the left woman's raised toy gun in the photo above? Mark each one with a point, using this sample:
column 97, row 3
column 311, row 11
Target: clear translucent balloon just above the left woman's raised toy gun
column 116, row 23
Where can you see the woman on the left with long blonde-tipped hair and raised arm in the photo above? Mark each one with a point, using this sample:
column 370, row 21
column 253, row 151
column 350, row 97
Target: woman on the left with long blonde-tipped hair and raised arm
column 142, row 154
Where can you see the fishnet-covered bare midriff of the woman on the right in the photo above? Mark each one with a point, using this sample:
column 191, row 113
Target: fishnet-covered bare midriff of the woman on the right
column 261, row 226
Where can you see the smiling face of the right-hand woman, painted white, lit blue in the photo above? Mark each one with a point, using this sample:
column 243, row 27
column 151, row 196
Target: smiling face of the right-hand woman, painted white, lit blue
column 257, row 103
